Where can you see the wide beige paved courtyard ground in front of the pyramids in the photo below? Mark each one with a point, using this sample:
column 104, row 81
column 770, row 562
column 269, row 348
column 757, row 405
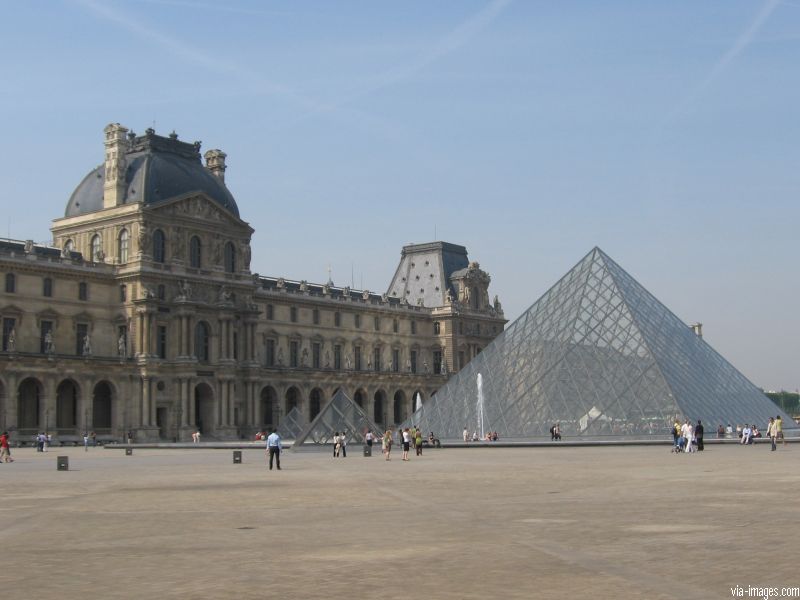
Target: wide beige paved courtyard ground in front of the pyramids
column 629, row 522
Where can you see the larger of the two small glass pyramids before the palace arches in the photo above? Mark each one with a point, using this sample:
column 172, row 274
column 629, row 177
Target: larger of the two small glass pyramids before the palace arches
column 339, row 414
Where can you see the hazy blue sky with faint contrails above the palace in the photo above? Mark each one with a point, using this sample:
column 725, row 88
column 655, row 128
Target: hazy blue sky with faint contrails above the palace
column 664, row 132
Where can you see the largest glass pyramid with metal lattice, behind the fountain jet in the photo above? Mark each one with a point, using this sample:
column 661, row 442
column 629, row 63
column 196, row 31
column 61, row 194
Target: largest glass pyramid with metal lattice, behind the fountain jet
column 600, row 355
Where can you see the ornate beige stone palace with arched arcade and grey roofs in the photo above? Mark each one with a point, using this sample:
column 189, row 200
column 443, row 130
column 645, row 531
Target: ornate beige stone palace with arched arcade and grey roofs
column 143, row 314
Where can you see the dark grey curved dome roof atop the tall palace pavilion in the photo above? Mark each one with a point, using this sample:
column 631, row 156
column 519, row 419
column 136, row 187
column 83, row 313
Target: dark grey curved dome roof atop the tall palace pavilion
column 158, row 169
